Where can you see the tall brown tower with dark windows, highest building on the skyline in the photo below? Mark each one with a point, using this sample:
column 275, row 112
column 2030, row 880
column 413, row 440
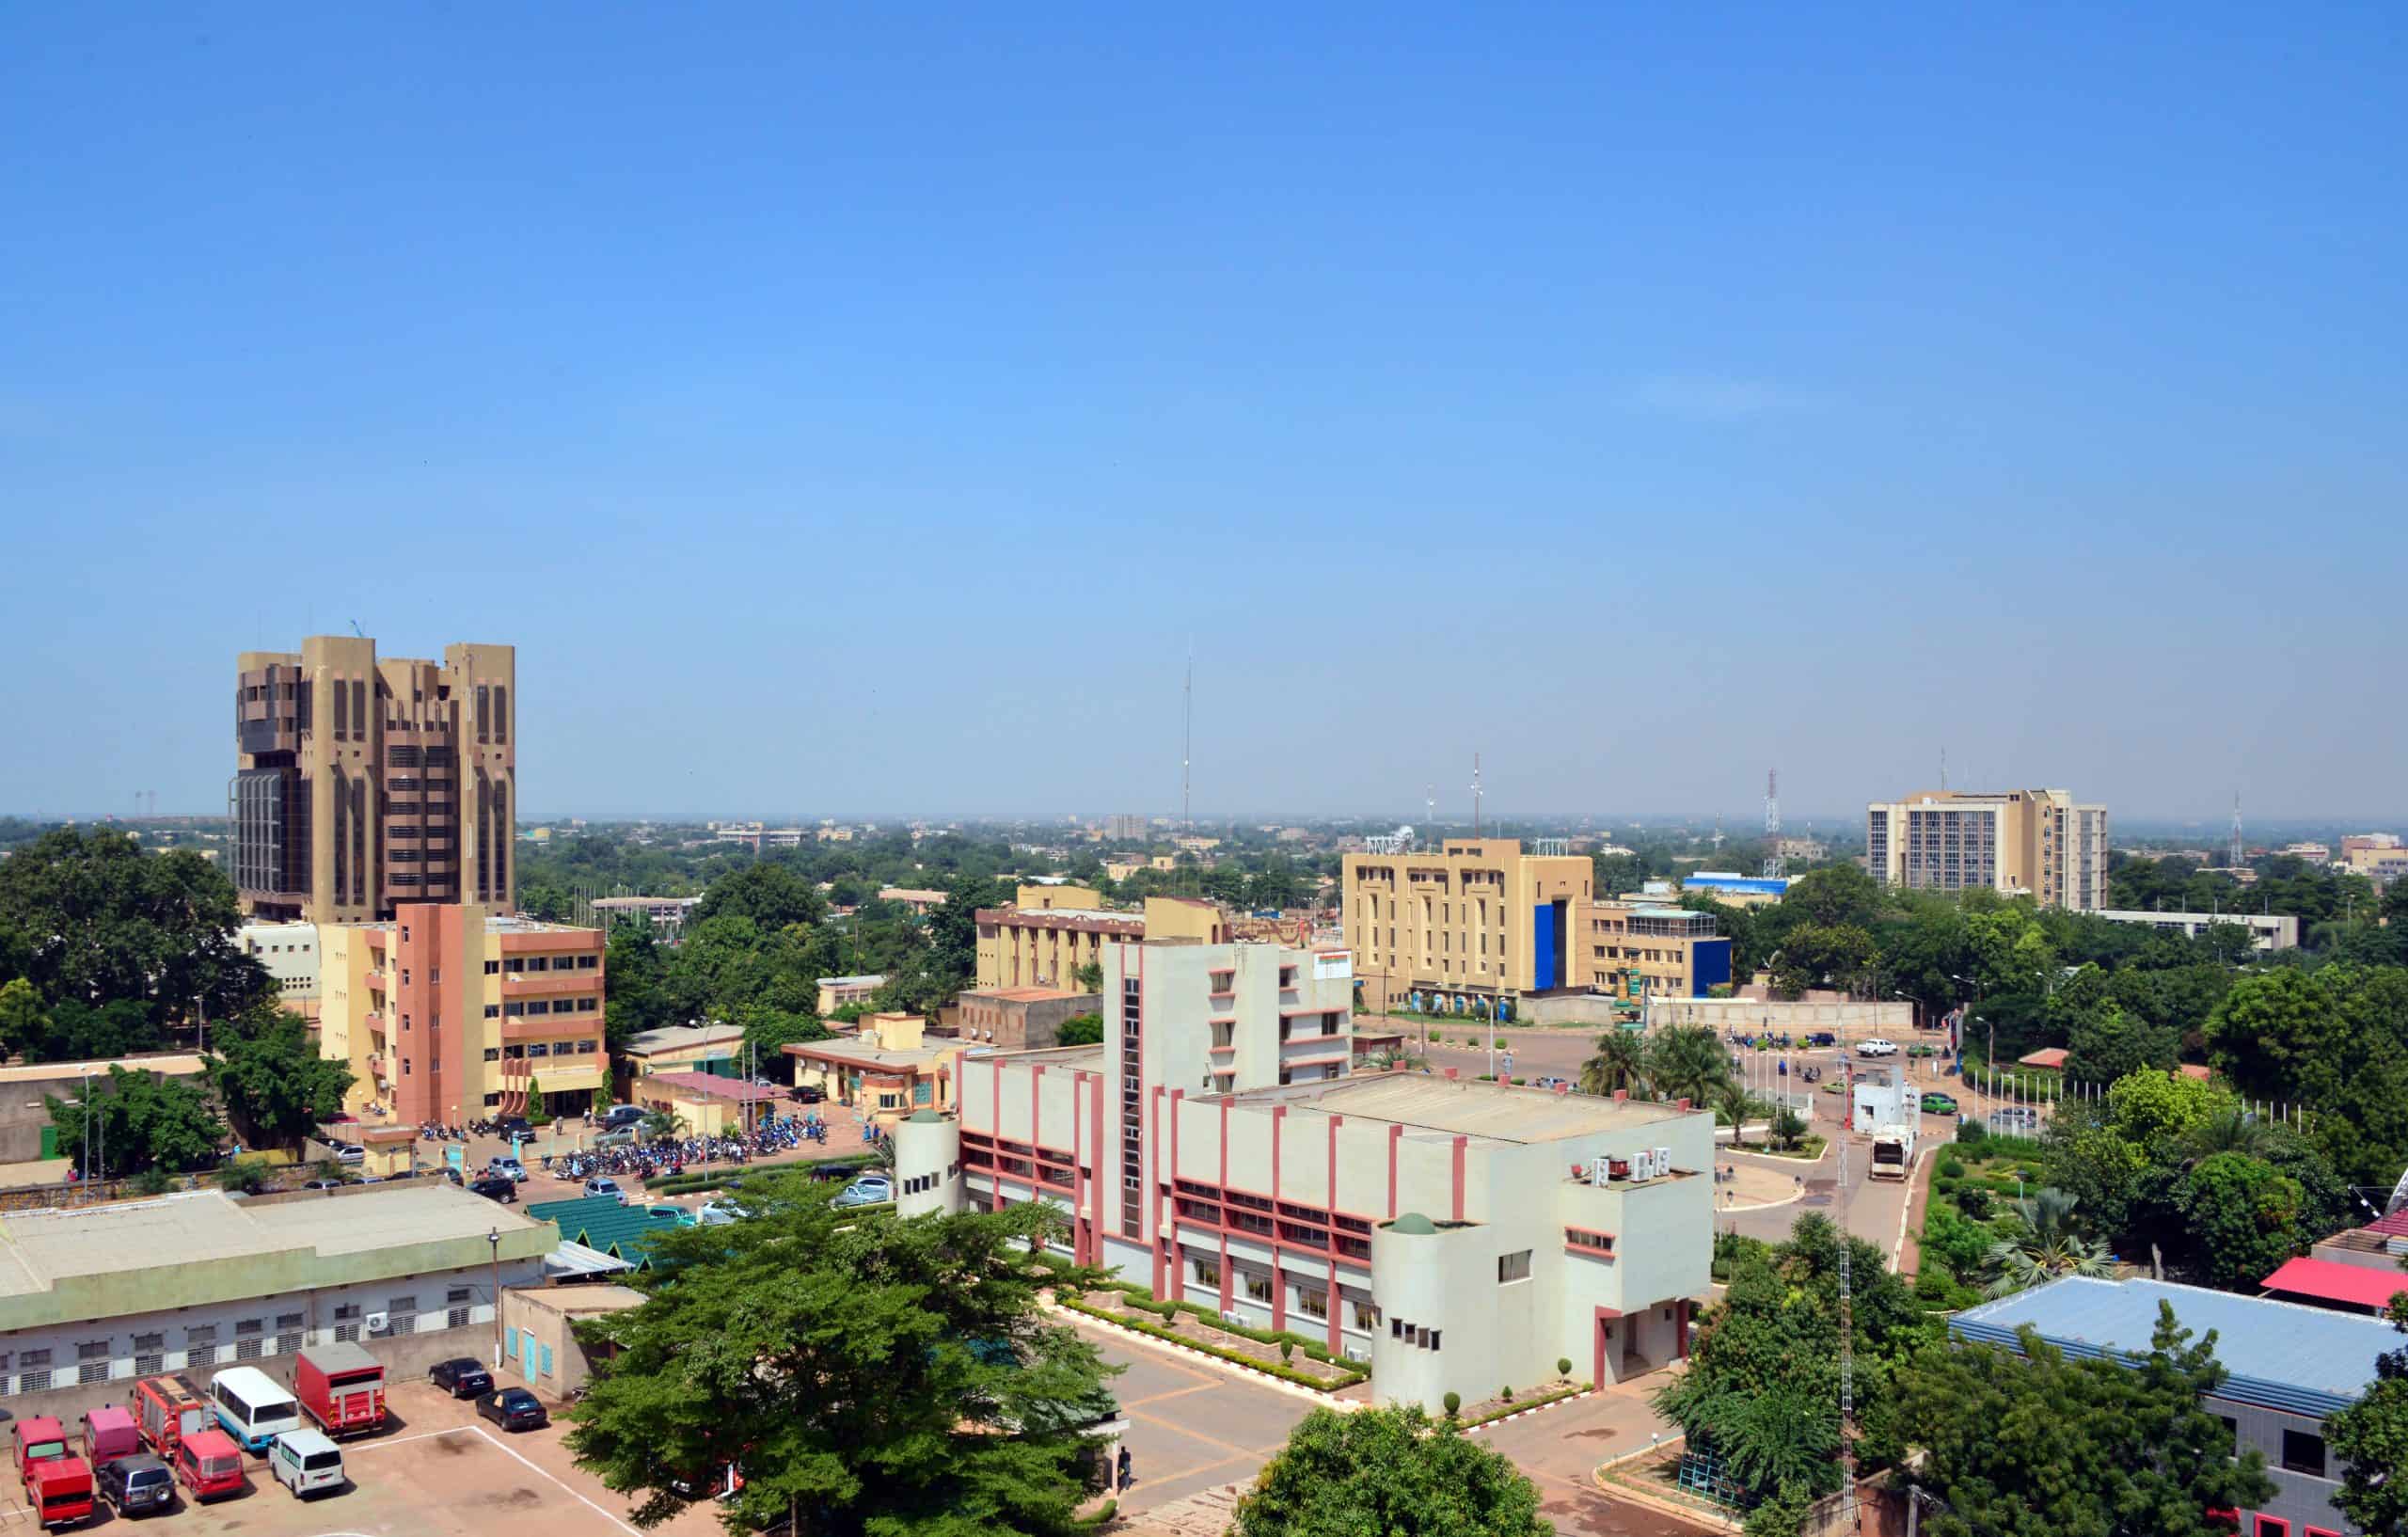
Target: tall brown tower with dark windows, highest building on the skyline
column 370, row 782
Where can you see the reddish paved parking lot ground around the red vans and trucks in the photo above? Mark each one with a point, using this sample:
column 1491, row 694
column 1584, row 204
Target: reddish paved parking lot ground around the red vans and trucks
column 437, row 1471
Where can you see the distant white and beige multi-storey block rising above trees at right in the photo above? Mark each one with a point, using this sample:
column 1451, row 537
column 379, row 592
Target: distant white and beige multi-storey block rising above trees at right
column 2017, row 842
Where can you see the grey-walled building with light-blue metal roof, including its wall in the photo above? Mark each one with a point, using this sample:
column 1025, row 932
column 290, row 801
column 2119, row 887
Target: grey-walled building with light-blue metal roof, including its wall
column 2291, row 1370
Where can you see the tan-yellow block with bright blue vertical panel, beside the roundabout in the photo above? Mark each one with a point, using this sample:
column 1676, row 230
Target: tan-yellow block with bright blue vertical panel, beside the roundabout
column 1465, row 926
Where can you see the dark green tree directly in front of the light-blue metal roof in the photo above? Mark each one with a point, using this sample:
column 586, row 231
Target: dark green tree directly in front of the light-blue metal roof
column 2041, row 1447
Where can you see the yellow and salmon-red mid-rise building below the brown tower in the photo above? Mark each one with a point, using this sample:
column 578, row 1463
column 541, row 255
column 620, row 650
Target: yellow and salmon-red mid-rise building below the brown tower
column 451, row 1013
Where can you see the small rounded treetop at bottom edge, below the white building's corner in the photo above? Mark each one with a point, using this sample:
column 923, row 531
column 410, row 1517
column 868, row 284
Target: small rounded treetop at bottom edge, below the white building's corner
column 1391, row 1473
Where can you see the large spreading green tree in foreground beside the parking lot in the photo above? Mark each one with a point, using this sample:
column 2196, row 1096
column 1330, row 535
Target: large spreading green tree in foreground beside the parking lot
column 868, row 1374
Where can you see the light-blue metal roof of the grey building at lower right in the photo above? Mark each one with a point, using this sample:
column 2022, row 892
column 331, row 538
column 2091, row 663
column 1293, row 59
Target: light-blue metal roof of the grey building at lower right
column 2282, row 1355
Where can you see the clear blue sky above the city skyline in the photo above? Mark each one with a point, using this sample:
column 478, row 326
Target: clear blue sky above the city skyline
column 866, row 413
